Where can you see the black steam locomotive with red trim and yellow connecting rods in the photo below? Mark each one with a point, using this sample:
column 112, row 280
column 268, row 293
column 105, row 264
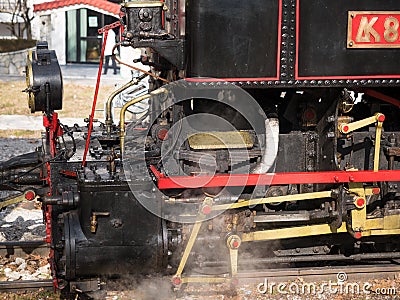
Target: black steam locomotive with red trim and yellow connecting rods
column 270, row 135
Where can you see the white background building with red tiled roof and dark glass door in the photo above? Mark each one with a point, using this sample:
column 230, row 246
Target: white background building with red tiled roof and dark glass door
column 70, row 27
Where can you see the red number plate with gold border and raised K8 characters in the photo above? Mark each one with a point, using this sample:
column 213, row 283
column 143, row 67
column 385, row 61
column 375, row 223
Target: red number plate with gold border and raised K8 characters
column 373, row 29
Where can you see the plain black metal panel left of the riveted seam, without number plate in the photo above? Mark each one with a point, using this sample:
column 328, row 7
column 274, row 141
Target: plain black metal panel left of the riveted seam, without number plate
column 232, row 38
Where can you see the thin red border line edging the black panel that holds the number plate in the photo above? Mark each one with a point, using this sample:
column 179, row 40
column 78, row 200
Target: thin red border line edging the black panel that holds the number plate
column 340, row 77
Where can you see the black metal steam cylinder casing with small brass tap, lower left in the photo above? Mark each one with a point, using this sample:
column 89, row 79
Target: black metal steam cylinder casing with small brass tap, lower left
column 129, row 240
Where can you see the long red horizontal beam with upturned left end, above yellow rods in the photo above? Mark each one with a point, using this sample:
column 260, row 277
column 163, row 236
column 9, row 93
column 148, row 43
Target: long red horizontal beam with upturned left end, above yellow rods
column 177, row 182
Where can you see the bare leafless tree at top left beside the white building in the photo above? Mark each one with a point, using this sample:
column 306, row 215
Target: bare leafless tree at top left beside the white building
column 20, row 8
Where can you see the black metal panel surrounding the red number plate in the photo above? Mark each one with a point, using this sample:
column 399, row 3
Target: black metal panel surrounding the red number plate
column 322, row 48
